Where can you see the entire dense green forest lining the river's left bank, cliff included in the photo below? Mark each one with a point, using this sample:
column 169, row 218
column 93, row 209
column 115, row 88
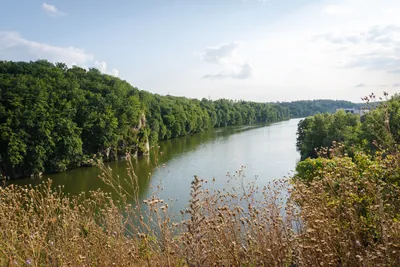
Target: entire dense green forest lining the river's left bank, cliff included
column 53, row 118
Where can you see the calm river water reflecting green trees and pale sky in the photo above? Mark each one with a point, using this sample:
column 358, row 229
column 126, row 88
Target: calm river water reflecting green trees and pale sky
column 263, row 152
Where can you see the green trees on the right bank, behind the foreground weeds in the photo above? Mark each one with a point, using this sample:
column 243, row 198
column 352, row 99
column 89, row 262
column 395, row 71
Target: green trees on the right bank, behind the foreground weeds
column 378, row 126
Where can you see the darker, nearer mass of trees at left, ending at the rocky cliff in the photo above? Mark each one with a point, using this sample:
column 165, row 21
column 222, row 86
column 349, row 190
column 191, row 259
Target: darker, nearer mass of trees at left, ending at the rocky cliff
column 52, row 116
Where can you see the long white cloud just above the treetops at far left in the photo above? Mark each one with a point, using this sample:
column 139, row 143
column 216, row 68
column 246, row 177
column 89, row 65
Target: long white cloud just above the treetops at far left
column 14, row 47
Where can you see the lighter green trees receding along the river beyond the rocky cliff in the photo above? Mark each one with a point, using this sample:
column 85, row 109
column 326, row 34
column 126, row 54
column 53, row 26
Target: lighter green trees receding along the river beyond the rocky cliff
column 171, row 116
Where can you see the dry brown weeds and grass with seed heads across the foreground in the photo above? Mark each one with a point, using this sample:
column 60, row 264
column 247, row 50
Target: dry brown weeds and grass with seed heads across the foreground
column 347, row 215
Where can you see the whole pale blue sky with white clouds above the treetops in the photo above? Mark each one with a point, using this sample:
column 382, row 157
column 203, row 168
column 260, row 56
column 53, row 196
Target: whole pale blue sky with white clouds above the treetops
column 256, row 50
